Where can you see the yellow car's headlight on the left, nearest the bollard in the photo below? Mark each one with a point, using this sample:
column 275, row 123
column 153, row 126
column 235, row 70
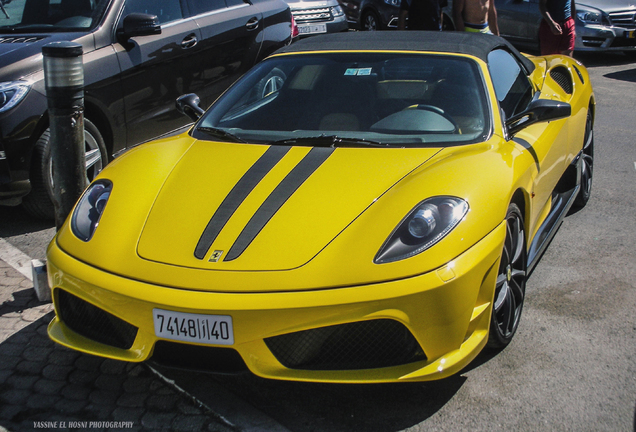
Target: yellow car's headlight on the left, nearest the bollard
column 90, row 208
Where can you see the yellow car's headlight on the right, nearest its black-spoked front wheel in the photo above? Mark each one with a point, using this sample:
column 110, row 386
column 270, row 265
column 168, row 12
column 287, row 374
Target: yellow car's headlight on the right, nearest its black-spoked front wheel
column 428, row 223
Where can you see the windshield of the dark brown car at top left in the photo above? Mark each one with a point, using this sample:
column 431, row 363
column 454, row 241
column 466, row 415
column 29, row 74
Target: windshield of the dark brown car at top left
column 45, row 16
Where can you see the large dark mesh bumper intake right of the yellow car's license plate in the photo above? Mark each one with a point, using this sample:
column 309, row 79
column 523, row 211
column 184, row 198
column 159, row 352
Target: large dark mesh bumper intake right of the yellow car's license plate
column 360, row 345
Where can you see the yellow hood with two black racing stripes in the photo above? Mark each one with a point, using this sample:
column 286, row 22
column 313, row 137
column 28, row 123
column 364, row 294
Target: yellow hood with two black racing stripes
column 255, row 207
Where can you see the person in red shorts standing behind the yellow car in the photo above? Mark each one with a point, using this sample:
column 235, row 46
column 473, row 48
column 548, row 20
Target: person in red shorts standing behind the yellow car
column 557, row 32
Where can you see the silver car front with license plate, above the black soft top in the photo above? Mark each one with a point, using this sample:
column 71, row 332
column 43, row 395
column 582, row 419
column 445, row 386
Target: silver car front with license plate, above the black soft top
column 318, row 16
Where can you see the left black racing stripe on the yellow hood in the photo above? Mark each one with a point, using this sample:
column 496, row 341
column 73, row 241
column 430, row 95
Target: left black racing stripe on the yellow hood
column 237, row 195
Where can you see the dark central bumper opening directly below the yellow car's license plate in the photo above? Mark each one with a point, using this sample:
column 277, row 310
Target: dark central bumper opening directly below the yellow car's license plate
column 197, row 357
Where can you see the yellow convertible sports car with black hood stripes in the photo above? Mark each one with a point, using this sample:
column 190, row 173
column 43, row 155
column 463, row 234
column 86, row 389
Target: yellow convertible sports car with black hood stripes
column 359, row 207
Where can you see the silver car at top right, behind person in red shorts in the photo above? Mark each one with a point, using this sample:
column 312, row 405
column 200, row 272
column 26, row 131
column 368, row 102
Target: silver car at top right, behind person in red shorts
column 601, row 25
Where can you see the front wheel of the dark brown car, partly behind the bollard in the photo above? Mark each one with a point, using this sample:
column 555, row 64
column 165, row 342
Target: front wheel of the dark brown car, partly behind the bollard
column 38, row 202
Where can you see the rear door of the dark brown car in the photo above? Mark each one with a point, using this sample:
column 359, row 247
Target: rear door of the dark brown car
column 231, row 31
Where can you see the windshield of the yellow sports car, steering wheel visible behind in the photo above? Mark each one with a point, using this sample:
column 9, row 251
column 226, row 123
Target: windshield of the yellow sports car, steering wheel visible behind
column 354, row 99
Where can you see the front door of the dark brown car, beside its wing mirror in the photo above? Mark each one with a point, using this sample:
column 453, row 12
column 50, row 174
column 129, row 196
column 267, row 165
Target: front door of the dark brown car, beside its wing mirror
column 157, row 69
